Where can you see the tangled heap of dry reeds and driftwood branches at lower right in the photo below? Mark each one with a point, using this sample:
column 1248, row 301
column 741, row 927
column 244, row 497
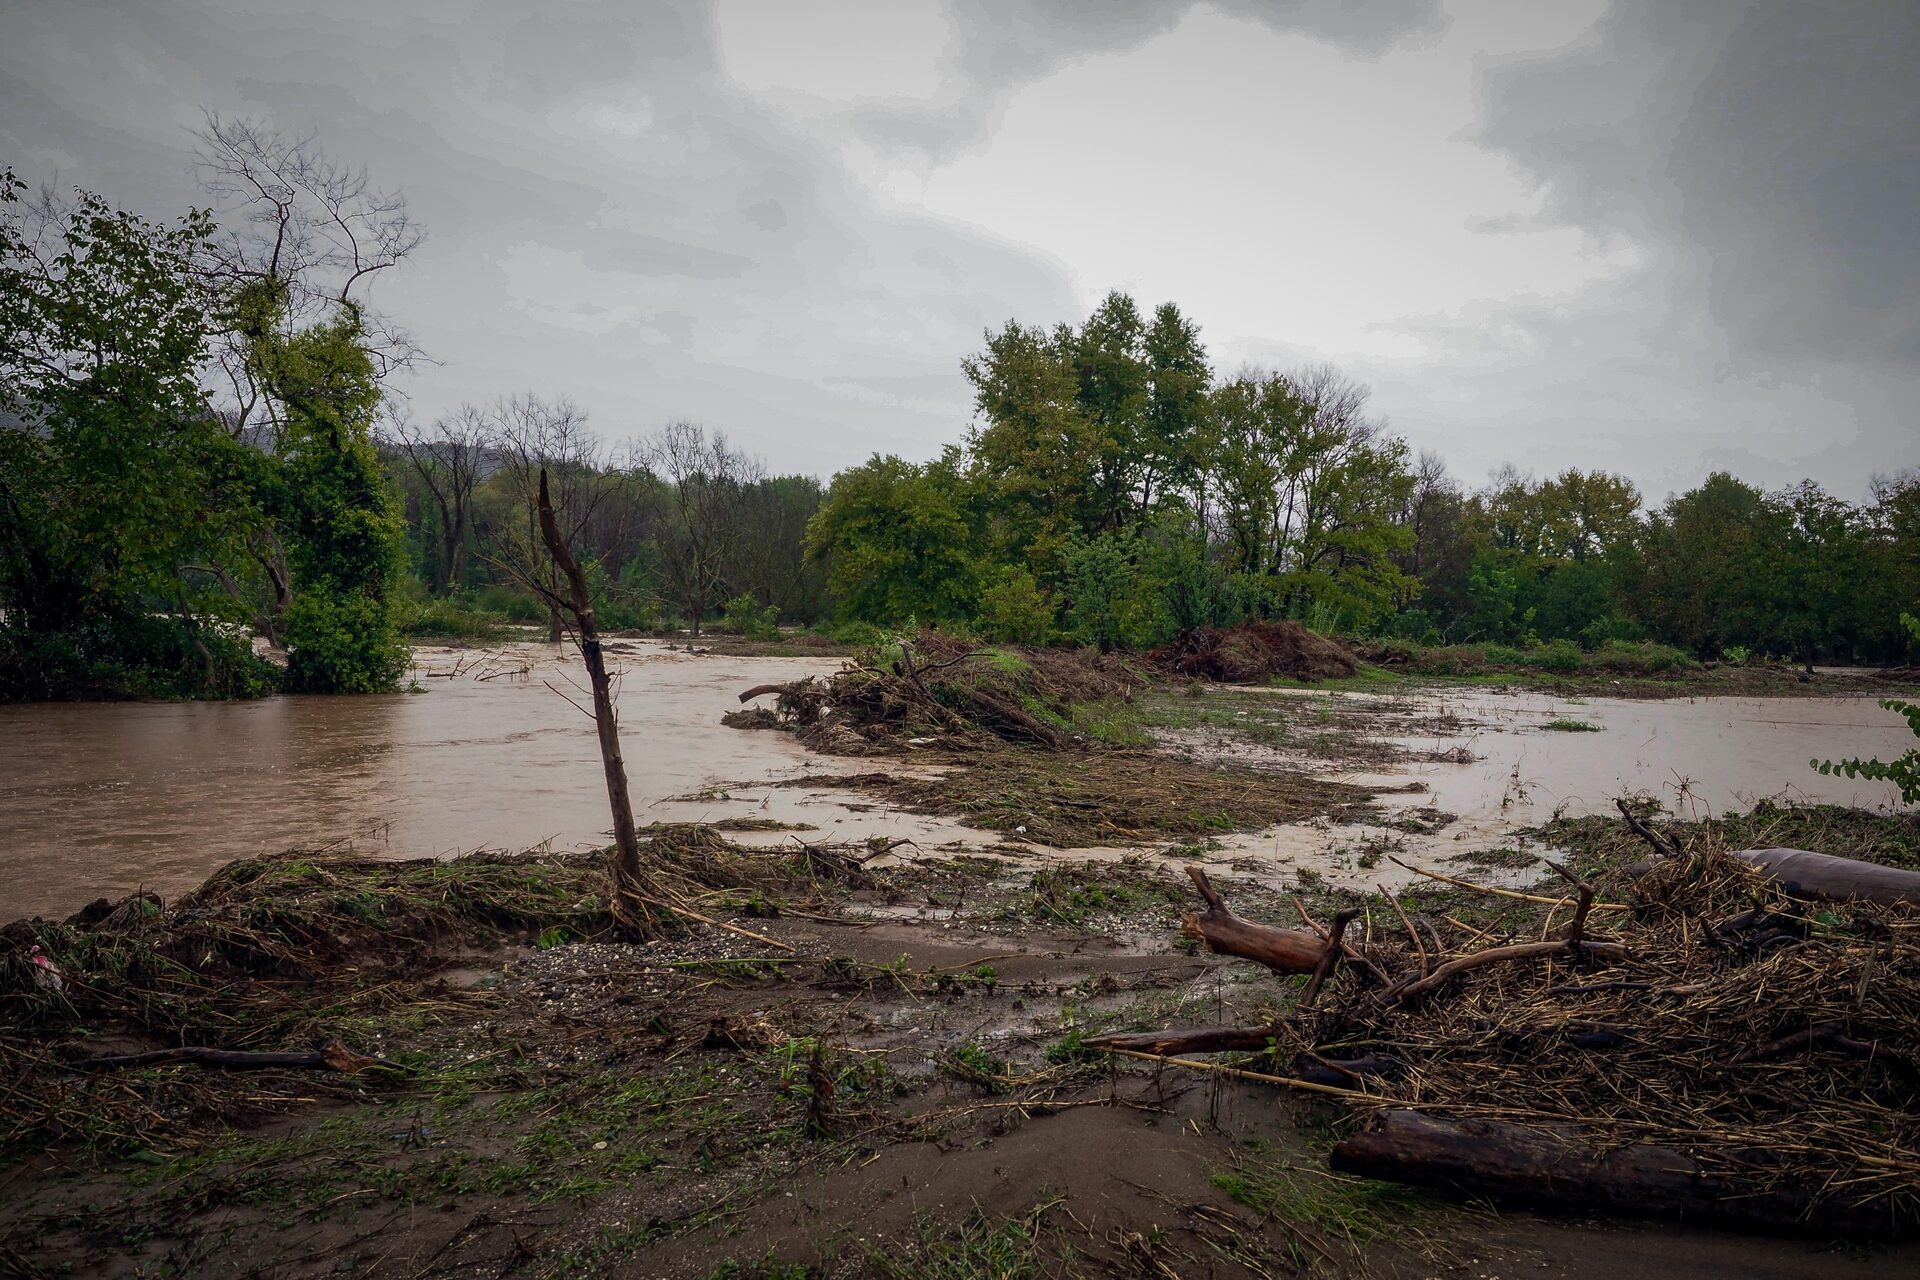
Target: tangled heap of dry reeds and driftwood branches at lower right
column 1716, row 1049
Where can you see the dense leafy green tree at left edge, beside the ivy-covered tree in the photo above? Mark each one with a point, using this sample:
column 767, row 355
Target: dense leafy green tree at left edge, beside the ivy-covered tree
column 118, row 486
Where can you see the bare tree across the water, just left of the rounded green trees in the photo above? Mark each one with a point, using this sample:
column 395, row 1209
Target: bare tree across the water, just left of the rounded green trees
column 708, row 485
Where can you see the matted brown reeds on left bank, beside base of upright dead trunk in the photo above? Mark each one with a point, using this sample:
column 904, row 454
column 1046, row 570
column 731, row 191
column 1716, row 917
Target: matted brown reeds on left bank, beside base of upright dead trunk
column 277, row 964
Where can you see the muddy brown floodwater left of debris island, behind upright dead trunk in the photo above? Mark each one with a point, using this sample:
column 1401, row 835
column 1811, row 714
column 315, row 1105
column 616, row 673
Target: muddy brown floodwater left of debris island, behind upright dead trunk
column 110, row 797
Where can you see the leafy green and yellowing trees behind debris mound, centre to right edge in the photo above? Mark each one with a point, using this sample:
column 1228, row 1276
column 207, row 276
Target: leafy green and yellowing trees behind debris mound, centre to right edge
column 1113, row 490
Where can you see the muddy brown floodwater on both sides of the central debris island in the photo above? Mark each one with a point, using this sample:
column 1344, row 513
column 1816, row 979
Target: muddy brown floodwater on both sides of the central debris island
column 103, row 799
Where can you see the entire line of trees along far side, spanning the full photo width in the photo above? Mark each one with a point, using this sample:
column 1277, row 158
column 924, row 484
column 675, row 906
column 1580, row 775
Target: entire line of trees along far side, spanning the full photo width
column 201, row 444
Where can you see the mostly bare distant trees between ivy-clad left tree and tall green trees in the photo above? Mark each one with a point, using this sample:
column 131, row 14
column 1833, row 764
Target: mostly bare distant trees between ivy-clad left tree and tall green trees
column 675, row 529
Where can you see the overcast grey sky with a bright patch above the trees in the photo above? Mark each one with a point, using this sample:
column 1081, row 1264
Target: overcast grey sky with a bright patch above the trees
column 1660, row 239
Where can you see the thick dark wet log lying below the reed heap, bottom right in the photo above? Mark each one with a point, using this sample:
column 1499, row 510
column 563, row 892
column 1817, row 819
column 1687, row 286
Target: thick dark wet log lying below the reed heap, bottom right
column 1548, row 1170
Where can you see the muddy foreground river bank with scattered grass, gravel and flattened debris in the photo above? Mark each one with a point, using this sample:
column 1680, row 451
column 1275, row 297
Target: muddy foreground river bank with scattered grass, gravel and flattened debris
column 894, row 1081
